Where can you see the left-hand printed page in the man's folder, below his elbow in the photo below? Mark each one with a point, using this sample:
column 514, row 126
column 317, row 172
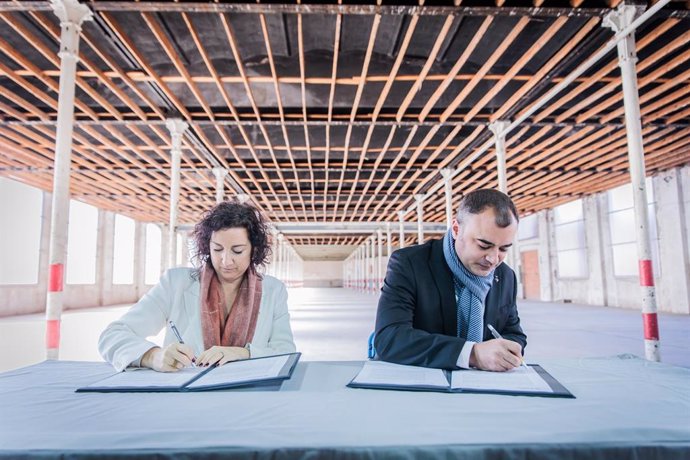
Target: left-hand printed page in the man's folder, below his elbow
column 383, row 373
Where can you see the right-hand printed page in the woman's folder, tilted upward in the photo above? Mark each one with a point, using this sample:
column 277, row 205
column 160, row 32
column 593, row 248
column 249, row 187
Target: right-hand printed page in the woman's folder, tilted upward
column 243, row 371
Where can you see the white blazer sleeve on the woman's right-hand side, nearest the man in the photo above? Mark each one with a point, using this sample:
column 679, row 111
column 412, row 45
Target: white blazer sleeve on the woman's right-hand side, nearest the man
column 280, row 339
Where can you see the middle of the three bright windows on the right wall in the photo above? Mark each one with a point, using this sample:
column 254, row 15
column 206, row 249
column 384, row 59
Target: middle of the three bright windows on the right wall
column 571, row 245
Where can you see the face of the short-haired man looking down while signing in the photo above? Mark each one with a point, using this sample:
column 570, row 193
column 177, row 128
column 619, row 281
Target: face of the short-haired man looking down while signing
column 482, row 245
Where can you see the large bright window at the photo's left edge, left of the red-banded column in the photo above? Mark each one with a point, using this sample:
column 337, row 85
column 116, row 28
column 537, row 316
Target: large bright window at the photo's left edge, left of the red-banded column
column 20, row 233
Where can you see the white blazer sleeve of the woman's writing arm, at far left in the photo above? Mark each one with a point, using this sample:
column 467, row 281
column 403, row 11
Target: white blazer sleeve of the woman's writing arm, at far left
column 124, row 342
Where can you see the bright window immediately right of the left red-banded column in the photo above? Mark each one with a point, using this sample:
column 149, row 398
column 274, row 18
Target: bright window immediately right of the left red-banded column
column 82, row 241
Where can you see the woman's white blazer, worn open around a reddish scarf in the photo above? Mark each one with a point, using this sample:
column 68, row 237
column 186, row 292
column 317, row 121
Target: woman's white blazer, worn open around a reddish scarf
column 176, row 298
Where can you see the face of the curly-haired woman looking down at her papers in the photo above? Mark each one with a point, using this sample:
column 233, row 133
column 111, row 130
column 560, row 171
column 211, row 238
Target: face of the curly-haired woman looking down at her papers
column 231, row 253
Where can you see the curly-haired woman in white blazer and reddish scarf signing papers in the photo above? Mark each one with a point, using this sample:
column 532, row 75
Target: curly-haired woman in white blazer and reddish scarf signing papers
column 223, row 311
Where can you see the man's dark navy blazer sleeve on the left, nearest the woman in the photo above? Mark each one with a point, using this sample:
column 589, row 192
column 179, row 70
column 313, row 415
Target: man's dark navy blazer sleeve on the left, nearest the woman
column 396, row 339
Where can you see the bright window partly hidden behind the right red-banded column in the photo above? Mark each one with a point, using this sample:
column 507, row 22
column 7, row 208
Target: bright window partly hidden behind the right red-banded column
column 622, row 230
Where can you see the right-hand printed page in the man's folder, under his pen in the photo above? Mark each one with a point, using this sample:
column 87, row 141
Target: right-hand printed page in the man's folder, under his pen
column 519, row 379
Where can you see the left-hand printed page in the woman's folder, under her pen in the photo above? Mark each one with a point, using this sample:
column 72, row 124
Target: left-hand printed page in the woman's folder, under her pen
column 148, row 378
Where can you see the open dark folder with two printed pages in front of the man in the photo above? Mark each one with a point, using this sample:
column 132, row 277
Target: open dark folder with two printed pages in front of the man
column 532, row 380
